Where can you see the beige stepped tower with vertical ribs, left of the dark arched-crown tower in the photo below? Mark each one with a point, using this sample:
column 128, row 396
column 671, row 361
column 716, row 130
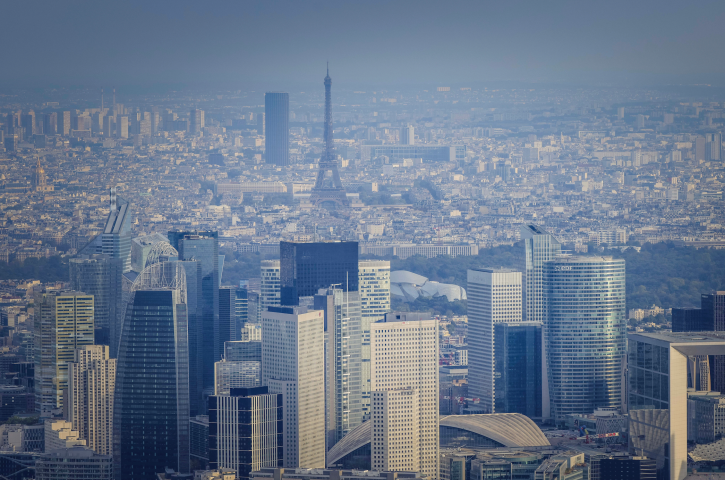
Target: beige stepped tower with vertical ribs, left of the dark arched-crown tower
column 91, row 389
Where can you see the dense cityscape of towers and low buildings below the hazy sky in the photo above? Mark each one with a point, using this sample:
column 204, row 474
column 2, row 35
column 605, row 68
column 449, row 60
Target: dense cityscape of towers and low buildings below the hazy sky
column 500, row 280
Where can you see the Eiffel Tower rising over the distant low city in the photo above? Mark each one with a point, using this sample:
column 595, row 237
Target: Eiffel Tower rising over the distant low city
column 328, row 190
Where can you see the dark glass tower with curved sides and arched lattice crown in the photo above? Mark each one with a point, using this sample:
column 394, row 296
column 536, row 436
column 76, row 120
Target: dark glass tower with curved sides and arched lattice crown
column 151, row 416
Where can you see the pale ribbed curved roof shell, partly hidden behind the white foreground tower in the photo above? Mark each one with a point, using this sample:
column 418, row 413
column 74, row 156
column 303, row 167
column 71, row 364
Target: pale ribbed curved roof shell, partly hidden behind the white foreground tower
column 508, row 429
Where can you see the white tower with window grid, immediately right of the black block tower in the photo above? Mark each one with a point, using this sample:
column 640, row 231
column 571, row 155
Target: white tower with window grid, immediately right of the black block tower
column 374, row 288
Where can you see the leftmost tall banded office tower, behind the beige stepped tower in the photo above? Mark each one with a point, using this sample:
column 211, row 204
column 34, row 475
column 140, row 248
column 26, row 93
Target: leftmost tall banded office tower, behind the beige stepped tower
column 63, row 322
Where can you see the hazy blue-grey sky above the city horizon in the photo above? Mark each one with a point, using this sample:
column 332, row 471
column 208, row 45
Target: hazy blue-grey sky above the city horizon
column 281, row 44
